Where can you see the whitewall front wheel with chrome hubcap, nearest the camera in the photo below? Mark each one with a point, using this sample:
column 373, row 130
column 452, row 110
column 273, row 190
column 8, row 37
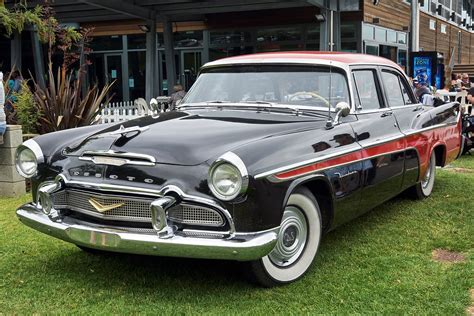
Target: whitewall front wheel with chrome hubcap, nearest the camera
column 297, row 243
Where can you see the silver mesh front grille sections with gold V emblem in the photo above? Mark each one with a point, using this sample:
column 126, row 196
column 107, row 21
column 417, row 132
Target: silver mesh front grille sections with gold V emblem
column 131, row 208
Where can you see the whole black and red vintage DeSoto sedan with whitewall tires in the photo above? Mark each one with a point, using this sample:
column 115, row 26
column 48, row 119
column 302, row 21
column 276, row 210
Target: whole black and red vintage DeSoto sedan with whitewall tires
column 265, row 154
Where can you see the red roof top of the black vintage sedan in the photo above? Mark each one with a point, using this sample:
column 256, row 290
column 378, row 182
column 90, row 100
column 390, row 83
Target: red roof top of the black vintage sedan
column 347, row 58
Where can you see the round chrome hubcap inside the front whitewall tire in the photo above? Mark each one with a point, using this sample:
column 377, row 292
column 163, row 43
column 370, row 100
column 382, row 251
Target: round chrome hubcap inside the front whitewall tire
column 292, row 238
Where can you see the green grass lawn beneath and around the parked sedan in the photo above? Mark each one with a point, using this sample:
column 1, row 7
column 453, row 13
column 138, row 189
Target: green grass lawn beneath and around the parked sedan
column 379, row 263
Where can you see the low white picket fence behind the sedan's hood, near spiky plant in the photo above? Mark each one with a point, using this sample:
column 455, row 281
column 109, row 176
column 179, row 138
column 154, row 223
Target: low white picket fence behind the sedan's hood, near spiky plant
column 129, row 110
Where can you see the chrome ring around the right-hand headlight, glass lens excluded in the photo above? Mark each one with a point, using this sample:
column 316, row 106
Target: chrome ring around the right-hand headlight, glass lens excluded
column 238, row 165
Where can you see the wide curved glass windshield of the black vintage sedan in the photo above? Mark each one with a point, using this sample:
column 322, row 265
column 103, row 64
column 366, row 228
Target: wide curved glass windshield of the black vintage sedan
column 288, row 85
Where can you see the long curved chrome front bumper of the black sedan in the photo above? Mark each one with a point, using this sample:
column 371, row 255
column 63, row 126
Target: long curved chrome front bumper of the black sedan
column 241, row 246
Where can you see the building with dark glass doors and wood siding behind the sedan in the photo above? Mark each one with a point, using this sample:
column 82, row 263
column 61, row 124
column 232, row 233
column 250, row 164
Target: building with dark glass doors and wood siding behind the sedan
column 128, row 51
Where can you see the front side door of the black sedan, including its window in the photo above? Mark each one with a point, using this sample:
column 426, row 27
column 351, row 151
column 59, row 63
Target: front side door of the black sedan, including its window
column 382, row 143
